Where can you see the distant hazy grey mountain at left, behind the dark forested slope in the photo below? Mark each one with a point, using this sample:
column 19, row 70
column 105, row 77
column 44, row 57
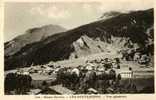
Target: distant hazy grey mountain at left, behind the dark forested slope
column 31, row 36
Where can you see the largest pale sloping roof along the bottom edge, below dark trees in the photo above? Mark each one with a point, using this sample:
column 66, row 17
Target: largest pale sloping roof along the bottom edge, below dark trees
column 62, row 90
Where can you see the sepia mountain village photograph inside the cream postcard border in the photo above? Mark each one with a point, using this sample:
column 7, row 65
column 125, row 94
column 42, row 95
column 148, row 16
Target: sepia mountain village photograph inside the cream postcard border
column 72, row 48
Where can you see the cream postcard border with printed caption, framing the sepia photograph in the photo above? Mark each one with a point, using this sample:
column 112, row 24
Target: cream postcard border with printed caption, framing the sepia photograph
column 31, row 97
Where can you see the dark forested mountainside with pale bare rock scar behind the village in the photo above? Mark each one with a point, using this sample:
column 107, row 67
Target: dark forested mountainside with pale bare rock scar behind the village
column 125, row 31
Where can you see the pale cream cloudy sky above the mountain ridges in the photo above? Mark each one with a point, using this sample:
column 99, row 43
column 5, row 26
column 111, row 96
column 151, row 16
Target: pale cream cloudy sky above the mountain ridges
column 20, row 16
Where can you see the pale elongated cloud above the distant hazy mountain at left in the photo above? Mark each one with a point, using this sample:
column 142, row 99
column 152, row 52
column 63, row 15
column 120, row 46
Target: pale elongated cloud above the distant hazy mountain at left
column 52, row 12
